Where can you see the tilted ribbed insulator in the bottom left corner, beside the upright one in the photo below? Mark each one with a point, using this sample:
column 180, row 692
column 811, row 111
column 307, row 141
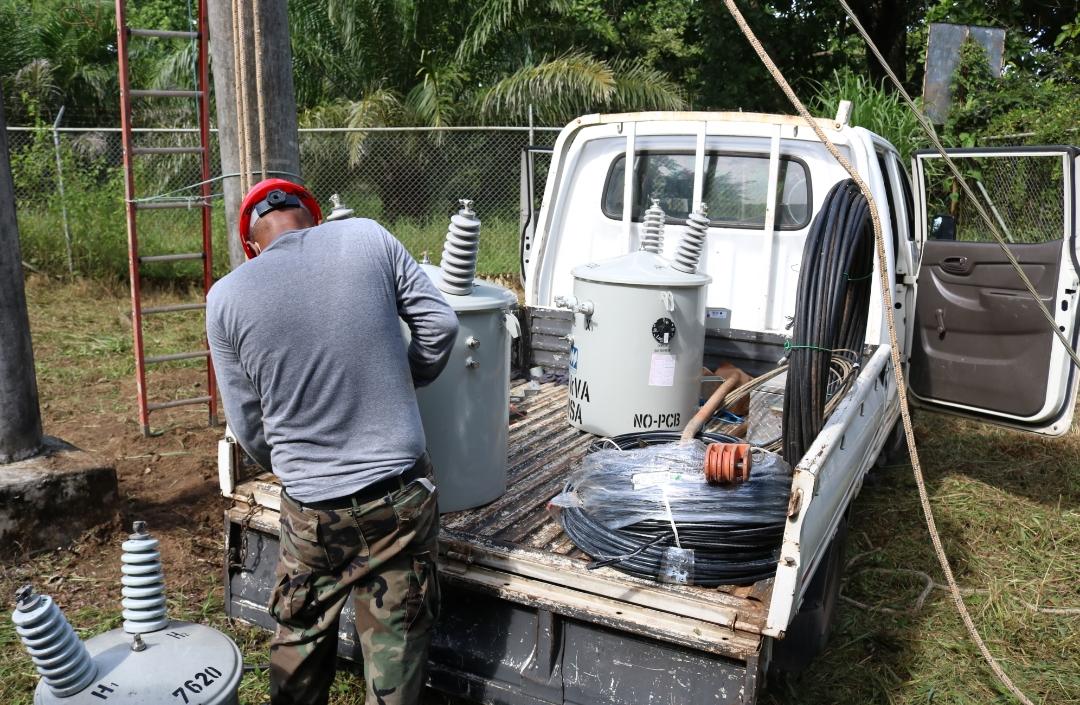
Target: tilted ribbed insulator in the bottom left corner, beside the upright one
column 60, row 656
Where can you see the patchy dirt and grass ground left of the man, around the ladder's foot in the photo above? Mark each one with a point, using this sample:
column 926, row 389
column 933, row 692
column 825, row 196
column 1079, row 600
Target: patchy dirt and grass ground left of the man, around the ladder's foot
column 87, row 389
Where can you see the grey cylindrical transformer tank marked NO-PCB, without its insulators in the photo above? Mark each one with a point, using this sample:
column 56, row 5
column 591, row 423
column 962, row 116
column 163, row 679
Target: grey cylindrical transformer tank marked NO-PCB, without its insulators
column 638, row 343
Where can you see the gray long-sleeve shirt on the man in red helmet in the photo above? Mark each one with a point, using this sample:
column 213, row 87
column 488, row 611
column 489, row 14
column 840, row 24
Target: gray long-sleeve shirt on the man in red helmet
column 312, row 359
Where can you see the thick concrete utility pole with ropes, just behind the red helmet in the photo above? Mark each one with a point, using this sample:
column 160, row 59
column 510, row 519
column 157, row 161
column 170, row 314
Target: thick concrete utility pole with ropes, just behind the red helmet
column 279, row 99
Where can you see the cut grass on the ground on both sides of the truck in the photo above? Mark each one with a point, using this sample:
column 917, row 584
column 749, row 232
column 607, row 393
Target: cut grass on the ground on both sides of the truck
column 1008, row 507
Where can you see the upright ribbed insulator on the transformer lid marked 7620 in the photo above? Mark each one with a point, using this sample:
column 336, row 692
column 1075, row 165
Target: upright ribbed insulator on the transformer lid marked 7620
column 144, row 585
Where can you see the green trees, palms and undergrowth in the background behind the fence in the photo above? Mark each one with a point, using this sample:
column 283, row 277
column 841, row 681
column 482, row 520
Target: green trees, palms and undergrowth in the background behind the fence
column 454, row 63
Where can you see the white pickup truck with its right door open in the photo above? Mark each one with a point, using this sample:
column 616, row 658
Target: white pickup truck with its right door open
column 525, row 622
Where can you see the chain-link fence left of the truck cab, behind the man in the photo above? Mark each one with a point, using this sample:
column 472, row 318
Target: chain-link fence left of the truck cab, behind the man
column 70, row 192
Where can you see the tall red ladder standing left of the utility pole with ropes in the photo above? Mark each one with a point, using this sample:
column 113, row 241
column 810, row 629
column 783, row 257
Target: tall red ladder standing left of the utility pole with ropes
column 133, row 208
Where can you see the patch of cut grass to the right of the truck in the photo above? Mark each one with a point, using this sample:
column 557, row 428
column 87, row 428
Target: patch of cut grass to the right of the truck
column 1008, row 507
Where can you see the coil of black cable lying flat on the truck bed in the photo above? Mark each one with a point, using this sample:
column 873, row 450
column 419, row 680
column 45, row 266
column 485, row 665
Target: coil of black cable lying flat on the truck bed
column 725, row 553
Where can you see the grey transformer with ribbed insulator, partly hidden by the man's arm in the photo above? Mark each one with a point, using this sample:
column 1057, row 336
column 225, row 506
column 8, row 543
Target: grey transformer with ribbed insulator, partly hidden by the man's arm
column 466, row 411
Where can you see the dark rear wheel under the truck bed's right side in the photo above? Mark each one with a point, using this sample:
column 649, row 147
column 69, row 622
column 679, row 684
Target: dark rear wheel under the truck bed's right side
column 808, row 633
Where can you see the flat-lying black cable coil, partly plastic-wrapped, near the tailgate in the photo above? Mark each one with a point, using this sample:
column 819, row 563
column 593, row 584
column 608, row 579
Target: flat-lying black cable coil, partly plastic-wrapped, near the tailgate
column 738, row 551
